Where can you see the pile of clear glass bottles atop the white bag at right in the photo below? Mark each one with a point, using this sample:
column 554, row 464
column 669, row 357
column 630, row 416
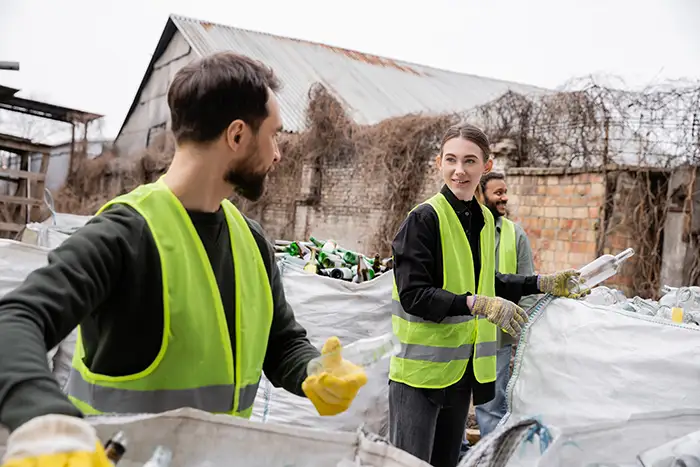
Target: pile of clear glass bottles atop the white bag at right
column 685, row 301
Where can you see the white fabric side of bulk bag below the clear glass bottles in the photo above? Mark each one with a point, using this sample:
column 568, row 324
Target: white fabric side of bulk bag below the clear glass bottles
column 579, row 364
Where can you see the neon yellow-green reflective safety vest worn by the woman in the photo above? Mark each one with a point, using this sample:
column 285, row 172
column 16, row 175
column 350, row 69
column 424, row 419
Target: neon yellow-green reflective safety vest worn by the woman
column 435, row 355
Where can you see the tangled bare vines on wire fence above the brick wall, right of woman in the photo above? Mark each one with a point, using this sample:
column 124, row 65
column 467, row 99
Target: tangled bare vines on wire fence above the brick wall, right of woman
column 588, row 125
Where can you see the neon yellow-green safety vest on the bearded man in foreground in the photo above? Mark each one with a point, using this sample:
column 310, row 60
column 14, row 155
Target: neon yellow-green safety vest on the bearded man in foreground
column 195, row 366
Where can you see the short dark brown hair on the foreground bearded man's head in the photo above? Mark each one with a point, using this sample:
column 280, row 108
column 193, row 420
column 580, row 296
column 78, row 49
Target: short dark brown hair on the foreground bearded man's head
column 211, row 92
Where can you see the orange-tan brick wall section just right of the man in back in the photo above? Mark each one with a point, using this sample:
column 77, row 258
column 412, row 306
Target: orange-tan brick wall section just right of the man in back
column 564, row 214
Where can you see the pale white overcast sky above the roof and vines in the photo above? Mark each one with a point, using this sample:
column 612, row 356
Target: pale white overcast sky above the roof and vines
column 91, row 54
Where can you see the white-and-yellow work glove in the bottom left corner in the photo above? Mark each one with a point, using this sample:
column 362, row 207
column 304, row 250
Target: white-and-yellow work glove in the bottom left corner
column 55, row 441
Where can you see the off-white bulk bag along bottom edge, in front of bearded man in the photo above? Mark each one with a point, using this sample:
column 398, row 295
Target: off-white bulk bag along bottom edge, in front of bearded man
column 200, row 439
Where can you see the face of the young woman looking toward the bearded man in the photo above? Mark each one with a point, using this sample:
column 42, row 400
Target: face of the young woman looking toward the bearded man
column 462, row 165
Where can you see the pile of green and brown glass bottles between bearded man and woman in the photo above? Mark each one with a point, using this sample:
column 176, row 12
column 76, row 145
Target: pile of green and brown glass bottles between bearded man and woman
column 326, row 258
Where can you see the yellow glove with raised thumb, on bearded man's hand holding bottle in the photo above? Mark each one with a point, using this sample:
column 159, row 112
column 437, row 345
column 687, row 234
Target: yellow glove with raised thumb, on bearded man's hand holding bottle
column 333, row 390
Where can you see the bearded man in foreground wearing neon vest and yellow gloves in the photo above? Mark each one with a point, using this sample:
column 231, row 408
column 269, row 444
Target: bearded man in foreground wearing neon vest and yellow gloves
column 177, row 295
